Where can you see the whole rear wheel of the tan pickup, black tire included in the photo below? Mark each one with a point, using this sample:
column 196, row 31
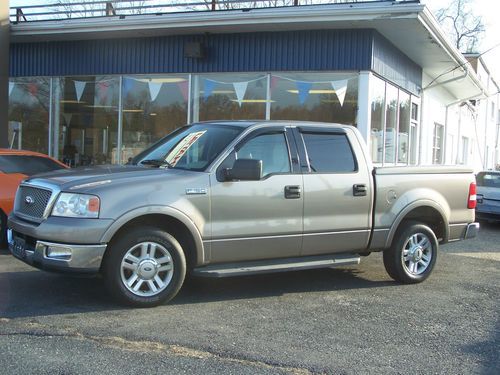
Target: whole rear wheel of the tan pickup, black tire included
column 413, row 253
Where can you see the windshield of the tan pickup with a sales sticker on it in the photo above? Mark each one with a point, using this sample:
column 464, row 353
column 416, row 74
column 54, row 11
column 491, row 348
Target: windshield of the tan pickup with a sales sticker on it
column 192, row 147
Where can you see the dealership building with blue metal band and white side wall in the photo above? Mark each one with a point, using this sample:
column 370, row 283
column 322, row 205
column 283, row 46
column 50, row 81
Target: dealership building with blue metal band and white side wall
column 100, row 89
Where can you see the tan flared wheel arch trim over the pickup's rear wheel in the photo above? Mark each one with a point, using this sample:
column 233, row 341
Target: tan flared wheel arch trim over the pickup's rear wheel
column 426, row 212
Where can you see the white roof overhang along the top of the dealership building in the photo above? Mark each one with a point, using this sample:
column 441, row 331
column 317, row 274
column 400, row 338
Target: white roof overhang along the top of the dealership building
column 409, row 26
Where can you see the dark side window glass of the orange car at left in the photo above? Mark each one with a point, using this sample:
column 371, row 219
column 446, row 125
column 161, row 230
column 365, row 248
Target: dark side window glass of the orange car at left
column 27, row 164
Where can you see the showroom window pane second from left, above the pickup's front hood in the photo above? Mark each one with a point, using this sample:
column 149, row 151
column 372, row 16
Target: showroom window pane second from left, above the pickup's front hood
column 86, row 120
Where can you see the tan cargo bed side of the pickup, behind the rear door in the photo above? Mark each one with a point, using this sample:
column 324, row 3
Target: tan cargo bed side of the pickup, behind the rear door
column 434, row 195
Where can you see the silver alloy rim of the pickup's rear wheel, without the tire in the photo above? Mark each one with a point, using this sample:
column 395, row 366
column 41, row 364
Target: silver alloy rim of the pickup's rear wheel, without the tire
column 417, row 254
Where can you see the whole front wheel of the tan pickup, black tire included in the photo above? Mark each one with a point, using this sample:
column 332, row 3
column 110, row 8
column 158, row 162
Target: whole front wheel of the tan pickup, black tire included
column 120, row 267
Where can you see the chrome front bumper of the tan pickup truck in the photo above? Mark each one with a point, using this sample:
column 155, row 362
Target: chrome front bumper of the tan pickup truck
column 57, row 256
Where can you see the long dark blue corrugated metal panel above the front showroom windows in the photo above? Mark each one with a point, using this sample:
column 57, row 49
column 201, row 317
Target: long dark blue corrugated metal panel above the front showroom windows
column 279, row 51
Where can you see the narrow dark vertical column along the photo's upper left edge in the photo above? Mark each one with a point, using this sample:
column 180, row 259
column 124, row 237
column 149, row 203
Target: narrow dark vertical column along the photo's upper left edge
column 4, row 72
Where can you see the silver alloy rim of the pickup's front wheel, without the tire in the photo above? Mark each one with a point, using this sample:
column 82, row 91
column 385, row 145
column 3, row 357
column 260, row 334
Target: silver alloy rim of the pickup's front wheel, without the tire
column 147, row 269
